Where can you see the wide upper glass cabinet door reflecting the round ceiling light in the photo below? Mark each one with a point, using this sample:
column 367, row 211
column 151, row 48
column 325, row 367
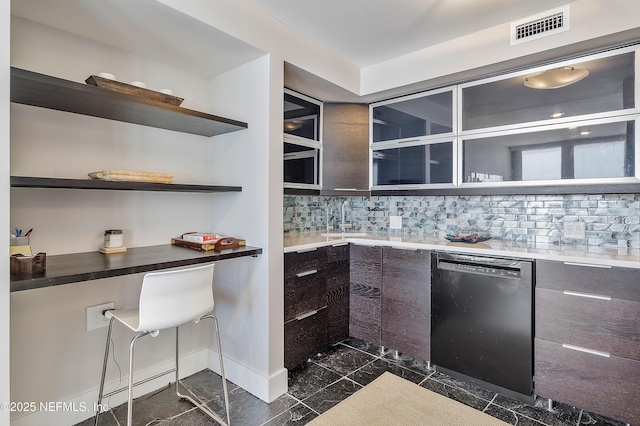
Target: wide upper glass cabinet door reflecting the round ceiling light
column 564, row 91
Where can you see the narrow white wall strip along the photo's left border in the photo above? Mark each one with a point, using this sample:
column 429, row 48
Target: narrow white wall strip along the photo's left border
column 5, row 9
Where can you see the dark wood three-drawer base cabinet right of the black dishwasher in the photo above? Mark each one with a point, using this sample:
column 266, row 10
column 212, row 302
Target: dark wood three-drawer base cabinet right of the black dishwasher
column 587, row 346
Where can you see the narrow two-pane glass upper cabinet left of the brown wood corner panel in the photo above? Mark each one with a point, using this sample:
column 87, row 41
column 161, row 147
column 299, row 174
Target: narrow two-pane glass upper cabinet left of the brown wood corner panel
column 302, row 141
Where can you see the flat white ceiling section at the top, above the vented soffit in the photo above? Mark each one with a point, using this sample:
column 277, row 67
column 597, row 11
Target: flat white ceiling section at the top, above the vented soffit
column 367, row 32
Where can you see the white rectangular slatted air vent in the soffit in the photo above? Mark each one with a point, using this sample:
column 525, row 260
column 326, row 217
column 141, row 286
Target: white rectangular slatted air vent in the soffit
column 544, row 24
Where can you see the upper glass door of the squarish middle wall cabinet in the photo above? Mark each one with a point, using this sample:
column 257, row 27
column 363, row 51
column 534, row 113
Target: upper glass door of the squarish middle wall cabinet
column 413, row 117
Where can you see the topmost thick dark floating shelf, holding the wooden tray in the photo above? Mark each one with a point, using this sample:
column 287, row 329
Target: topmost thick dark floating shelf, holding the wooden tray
column 31, row 88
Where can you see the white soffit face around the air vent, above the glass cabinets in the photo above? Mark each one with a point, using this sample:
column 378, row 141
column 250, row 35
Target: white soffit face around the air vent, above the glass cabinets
column 590, row 19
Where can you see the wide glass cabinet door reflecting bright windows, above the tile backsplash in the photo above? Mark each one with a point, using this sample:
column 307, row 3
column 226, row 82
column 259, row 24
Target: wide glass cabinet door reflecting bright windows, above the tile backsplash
column 592, row 152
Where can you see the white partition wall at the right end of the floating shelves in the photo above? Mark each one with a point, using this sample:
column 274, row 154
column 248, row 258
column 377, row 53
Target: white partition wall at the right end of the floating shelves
column 252, row 158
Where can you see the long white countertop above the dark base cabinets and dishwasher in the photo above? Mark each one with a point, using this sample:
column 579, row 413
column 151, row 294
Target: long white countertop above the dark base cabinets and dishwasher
column 623, row 257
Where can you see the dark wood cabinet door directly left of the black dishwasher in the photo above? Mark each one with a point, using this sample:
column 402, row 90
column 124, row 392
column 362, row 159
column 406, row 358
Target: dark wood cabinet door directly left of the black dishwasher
column 406, row 301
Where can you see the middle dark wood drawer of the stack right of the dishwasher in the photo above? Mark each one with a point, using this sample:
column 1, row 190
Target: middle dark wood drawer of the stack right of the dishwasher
column 611, row 326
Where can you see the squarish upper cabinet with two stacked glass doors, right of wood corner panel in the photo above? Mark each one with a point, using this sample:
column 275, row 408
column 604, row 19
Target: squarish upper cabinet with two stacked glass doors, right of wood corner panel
column 412, row 141
